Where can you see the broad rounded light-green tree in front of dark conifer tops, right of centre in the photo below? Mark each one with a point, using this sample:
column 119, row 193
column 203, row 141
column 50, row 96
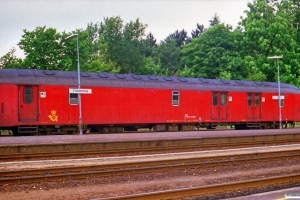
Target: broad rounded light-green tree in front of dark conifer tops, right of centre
column 215, row 54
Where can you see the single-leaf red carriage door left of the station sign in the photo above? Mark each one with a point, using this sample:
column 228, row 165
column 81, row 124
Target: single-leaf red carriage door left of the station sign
column 28, row 103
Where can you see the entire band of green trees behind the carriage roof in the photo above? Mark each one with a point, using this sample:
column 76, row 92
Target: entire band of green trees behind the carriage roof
column 219, row 51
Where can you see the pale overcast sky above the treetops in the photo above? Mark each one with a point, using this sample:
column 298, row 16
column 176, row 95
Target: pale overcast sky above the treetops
column 163, row 17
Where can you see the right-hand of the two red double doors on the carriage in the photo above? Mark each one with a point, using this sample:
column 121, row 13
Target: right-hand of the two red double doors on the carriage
column 253, row 106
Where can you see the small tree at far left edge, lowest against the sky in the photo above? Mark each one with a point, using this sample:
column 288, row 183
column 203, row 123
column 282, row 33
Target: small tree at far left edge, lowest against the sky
column 9, row 60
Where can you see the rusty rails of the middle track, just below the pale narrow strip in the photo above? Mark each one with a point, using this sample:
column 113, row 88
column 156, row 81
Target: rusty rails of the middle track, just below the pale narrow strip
column 69, row 173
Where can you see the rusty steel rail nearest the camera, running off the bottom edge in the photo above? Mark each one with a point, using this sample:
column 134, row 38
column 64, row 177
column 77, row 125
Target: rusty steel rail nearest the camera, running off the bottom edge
column 211, row 189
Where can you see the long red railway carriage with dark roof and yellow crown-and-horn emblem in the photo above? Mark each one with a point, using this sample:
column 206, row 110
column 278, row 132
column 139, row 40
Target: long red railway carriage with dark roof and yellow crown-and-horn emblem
column 42, row 102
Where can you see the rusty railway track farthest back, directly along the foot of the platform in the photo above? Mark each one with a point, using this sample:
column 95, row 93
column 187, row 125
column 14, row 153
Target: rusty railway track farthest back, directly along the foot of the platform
column 134, row 151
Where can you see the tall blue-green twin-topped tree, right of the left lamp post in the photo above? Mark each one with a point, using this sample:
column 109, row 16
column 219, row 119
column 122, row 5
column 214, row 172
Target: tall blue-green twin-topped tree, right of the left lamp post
column 124, row 46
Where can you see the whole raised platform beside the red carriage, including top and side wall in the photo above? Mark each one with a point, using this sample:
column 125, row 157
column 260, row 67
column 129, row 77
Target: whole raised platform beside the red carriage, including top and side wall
column 92, row 142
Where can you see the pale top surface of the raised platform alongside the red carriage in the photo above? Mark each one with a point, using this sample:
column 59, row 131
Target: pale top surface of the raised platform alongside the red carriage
column 140, row 136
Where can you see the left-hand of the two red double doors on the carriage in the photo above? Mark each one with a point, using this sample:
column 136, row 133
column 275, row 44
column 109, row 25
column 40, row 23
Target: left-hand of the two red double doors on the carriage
column 219, row 107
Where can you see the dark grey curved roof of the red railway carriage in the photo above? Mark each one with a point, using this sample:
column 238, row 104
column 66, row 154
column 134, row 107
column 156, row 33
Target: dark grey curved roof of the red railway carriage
column 49, row 77
